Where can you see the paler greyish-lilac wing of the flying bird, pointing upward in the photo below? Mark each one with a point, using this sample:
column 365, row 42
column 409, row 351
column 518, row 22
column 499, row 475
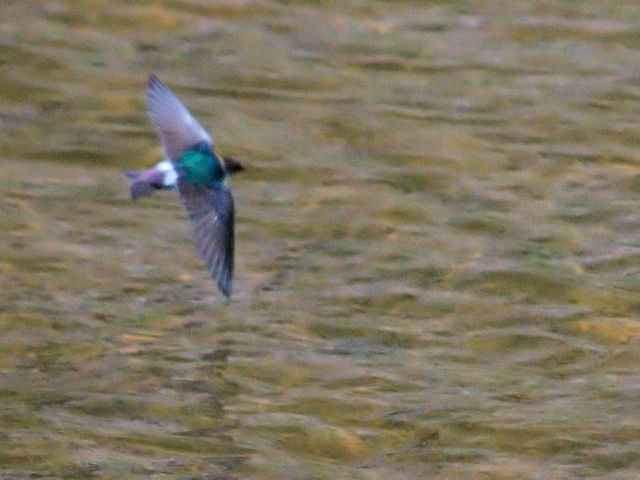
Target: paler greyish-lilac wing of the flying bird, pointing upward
column 178, row 129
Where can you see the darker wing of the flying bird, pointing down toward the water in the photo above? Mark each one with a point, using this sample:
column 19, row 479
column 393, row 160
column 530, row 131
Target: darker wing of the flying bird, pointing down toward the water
column 212, row 216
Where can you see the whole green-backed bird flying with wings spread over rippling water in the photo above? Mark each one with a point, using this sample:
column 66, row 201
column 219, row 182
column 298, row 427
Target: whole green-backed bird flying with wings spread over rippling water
column 200, row 176
